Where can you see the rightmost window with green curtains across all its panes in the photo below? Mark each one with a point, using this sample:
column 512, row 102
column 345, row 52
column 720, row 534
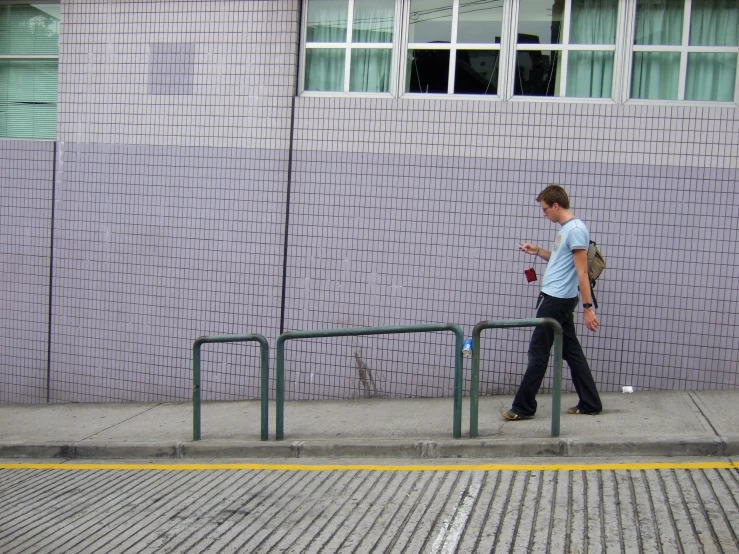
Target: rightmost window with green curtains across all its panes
column 685, row 50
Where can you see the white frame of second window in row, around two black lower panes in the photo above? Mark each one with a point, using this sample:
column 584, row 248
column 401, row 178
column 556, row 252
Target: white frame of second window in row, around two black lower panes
column 452, row 47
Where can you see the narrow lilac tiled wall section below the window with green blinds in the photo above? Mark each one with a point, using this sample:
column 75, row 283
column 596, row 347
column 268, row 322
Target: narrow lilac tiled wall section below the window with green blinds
column 26, row 169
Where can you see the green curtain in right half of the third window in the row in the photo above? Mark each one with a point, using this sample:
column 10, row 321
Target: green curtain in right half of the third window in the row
column 590, row 73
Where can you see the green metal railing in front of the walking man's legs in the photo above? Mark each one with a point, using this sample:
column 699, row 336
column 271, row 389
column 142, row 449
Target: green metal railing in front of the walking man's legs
column 475, row 376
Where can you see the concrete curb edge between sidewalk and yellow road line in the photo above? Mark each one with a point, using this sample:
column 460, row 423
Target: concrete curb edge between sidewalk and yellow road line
column 408, row 449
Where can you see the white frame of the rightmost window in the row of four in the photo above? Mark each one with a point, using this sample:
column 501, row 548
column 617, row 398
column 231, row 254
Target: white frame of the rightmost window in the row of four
column 684, row 49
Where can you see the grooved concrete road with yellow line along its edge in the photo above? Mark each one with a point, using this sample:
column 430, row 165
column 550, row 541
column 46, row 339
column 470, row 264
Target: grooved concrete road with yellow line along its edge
column 676, row 506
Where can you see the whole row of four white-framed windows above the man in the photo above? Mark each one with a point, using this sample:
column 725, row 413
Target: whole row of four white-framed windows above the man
column 605, row 50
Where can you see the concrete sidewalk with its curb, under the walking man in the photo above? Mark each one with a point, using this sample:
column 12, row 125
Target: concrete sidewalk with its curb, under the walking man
column 702, row 423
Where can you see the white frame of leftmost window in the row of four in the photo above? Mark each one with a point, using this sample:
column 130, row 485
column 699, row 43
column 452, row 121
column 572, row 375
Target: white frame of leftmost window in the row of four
column 348, row 46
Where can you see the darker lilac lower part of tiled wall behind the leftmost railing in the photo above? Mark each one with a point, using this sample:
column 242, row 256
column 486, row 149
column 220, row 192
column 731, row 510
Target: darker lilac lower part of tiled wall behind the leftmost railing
column 154, row 247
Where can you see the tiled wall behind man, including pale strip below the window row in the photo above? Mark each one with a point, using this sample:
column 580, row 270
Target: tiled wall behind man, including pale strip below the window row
column 411, row 211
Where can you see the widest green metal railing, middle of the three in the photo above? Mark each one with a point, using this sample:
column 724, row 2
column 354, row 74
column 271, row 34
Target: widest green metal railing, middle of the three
column 350, row 332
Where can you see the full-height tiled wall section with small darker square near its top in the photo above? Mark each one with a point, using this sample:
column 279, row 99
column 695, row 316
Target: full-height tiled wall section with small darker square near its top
column 173, row 127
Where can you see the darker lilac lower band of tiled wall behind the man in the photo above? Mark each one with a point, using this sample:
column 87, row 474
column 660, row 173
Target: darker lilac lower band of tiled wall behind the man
column 380, row 239
